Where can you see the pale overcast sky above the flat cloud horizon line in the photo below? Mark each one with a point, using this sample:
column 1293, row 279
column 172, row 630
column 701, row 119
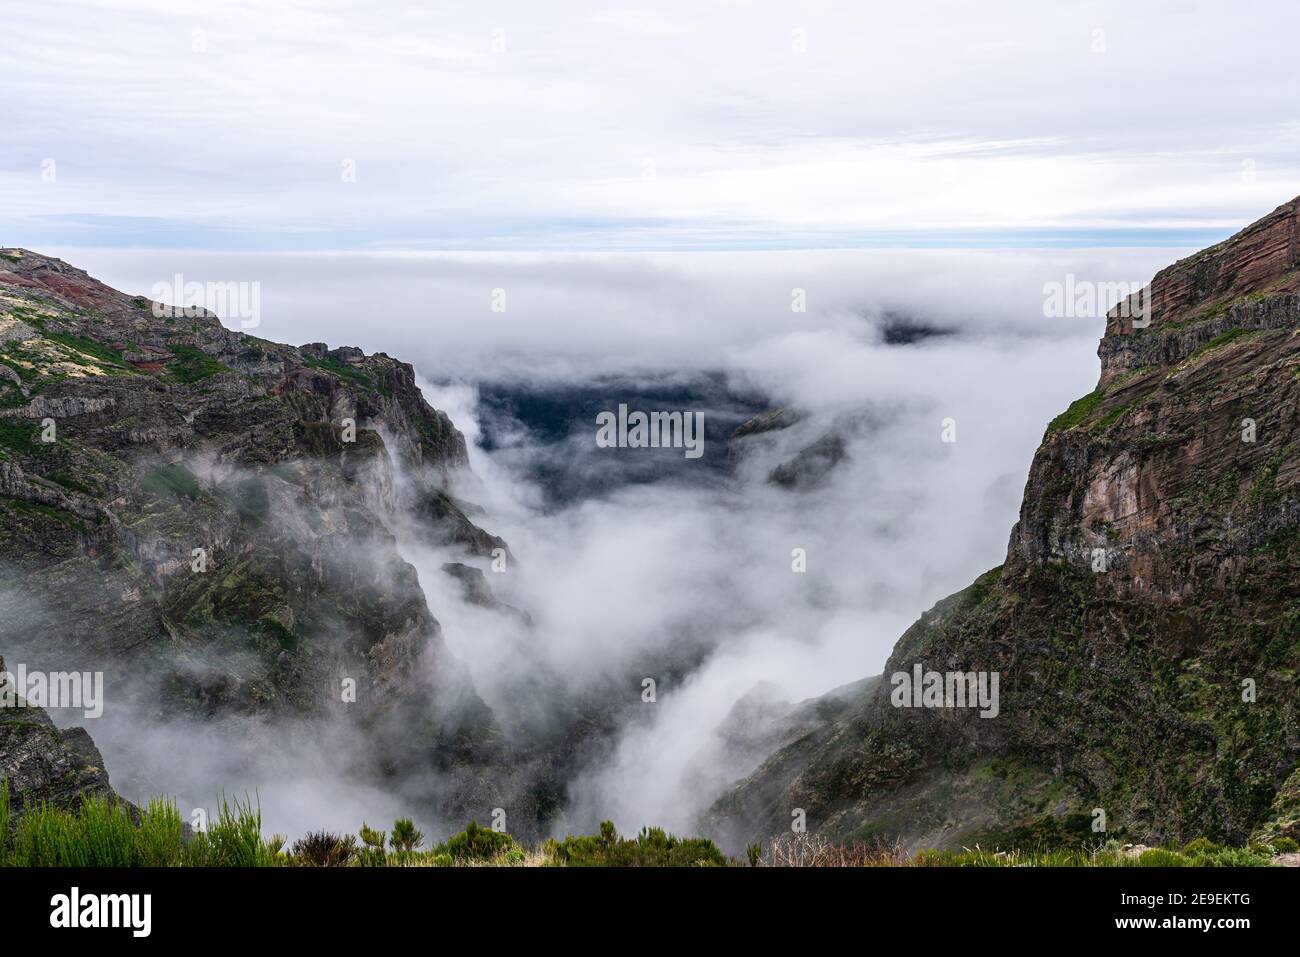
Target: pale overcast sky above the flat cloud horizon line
column 718, row 124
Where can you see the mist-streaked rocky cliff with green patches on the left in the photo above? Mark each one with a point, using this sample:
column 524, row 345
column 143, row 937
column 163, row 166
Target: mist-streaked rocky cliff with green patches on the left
column 207, row 517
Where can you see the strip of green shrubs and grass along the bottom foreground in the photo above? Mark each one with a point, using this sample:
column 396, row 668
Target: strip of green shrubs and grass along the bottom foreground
column 103, row 832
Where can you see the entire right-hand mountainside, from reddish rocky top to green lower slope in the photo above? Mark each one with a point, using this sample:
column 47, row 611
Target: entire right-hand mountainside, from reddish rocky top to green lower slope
column 1146, row 625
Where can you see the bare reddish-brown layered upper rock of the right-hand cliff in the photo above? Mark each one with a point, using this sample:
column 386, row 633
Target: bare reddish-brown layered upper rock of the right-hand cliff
column 1184, row 458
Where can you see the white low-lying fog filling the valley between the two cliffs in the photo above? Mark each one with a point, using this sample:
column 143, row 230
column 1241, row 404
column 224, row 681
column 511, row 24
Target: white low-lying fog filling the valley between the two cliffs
column 623, row 568
